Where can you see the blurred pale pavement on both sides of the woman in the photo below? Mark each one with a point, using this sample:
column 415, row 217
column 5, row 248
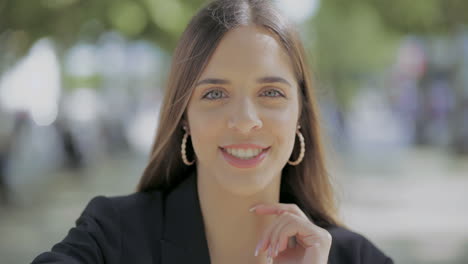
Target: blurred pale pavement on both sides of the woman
column 412, row 206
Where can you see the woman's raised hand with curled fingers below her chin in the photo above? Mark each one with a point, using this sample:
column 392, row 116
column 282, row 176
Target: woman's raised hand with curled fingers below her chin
column 313, row 242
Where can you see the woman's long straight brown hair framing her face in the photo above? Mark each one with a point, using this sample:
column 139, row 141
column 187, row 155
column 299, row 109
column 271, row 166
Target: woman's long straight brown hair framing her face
column 308, row 184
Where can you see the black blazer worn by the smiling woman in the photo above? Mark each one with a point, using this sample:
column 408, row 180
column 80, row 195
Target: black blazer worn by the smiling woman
column 152, row 228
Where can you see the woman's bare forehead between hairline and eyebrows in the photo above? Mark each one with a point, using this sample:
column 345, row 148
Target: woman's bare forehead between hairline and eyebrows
column 249, row 50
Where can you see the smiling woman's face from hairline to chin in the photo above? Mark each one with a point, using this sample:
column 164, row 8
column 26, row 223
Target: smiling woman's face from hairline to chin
column 245, row 102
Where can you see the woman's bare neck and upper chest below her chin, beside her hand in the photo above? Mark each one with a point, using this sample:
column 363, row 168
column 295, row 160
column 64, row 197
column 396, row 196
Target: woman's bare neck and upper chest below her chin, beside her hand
column 232, row 231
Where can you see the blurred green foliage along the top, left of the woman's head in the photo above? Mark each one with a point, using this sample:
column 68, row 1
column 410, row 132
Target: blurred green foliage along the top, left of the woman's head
column 68, row 21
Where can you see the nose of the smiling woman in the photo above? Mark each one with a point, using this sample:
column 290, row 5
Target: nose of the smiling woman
column 244, row 117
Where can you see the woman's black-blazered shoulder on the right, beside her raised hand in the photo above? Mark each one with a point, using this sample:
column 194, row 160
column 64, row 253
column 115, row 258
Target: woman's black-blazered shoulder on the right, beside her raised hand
column 351, row 247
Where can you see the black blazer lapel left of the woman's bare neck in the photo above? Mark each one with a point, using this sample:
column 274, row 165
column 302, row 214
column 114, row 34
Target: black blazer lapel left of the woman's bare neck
column 183, row 239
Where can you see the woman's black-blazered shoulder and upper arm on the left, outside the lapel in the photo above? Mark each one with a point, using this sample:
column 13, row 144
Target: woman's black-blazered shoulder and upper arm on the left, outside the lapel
column 116, row 229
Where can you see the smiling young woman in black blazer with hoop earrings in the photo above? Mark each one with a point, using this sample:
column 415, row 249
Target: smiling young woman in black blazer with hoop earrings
column 236, row 173
